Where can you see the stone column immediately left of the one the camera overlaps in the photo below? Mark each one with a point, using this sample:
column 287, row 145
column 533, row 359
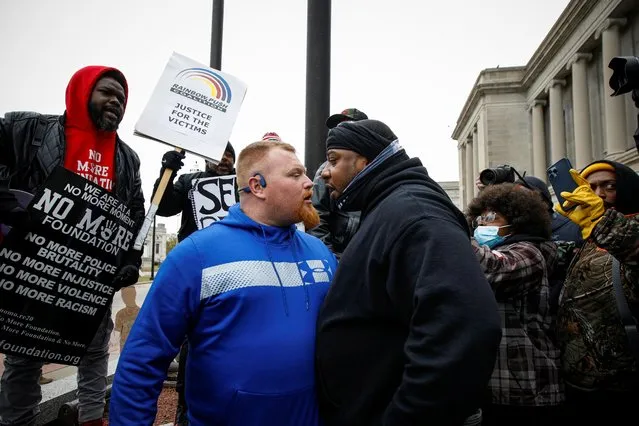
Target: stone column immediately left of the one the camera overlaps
column 581, row 108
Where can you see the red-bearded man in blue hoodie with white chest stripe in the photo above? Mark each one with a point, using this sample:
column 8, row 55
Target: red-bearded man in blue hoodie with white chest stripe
column 246, row 291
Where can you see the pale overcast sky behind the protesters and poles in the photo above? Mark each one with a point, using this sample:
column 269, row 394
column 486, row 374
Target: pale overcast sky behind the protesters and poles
column 409, row 63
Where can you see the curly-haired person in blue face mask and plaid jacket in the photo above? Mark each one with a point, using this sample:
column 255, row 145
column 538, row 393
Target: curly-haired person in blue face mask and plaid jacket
column 512, row 243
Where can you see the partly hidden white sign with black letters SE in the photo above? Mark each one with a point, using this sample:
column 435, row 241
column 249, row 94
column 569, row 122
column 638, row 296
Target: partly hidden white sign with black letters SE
column 212, row 197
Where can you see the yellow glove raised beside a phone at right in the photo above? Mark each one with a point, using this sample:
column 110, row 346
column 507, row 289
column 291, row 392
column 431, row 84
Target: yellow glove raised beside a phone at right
column 582, row 206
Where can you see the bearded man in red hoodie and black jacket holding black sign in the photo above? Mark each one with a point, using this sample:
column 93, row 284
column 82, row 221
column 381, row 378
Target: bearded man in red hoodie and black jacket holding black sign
column 83, row 140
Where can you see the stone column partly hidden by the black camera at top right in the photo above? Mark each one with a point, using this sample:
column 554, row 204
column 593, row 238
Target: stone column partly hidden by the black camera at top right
column 614, row 108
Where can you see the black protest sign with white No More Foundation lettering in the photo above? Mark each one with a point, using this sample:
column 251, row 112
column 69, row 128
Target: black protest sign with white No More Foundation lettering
column 55, row 281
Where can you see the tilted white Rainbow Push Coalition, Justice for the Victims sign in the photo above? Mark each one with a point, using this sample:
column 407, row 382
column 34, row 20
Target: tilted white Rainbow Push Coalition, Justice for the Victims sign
column 193, row 107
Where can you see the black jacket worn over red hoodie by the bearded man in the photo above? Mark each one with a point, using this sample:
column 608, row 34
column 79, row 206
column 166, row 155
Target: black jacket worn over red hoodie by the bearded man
column 20, row 135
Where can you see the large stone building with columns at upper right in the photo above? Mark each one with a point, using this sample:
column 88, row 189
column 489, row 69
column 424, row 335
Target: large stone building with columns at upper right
column 559, row 104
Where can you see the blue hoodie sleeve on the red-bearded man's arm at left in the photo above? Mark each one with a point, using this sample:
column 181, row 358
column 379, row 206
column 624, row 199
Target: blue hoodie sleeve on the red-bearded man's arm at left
column 156, row 337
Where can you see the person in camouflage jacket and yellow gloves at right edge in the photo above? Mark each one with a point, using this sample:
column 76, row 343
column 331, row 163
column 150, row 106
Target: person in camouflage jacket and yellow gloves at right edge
column 599, row 363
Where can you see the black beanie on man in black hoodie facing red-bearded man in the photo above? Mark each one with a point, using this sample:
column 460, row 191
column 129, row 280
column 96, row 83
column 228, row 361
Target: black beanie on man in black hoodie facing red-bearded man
column 365, row 137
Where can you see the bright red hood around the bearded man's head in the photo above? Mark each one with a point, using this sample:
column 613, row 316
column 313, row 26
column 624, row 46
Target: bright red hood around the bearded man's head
column 79, row 93
